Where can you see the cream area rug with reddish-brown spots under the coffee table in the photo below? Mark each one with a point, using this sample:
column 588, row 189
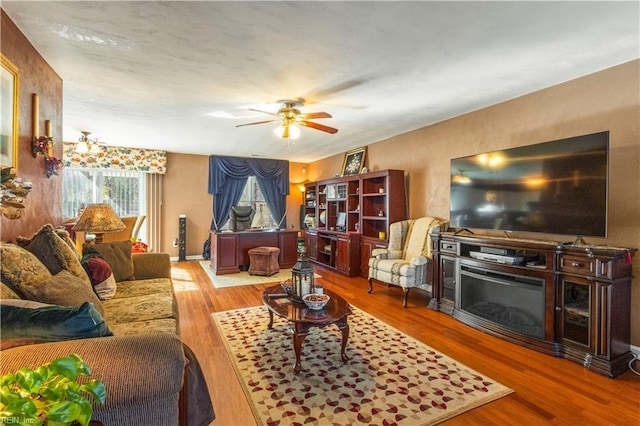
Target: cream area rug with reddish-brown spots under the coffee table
column 390, row 378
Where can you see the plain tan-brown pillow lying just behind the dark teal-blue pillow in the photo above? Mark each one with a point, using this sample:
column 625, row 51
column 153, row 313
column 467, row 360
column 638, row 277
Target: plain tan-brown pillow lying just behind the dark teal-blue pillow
column 61, row 289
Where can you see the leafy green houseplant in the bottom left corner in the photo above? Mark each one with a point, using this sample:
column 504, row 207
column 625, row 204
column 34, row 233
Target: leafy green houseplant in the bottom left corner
column 50, row 394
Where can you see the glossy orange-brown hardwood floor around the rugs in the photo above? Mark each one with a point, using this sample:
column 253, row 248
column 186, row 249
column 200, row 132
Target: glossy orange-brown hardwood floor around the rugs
column 547, row 389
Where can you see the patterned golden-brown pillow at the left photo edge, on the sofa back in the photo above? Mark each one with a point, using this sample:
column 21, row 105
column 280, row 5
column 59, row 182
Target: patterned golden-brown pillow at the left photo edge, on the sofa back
column 19, row 266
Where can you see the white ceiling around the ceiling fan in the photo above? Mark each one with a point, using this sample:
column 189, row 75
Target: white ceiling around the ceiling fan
column 149, row 74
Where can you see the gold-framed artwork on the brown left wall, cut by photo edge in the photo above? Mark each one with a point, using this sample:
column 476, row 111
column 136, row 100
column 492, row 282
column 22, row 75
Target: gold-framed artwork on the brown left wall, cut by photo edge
column 8, row 113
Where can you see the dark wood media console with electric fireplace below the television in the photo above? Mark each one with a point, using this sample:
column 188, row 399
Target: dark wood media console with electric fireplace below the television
column 565, row 300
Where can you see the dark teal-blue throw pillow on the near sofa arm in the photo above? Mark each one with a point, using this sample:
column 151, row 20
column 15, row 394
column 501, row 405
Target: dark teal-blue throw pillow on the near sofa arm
column 52, row 323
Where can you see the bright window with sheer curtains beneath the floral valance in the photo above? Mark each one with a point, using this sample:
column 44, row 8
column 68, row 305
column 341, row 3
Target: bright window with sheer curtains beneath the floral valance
column 125, row 191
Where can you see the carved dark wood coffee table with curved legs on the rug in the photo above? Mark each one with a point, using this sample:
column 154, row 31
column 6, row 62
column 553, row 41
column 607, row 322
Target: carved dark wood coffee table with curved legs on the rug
column 302, row 318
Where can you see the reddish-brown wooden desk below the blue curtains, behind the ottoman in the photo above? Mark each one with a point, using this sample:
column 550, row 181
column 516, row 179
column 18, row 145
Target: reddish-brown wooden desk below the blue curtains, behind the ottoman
column 230, row 250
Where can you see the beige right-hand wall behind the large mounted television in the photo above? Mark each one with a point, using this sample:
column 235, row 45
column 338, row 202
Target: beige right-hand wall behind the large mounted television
column 607, row 100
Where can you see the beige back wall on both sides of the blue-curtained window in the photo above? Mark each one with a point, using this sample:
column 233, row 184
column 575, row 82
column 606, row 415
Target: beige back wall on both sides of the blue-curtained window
column 185, row 192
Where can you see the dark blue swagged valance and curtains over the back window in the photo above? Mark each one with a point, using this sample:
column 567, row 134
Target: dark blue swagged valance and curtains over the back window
column 228, row 175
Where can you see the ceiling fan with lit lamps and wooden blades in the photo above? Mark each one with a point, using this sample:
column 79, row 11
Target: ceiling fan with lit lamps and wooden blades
column 290, row 118
